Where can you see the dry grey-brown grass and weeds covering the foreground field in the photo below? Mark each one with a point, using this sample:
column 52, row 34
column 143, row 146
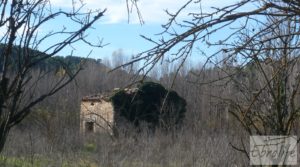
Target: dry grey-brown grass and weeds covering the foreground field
column 157, row 151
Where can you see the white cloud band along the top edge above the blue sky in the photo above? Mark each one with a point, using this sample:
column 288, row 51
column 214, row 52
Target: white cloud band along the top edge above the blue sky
column 152, row 10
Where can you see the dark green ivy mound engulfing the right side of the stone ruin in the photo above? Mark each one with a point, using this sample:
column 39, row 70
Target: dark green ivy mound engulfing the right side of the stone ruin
column 150, row 103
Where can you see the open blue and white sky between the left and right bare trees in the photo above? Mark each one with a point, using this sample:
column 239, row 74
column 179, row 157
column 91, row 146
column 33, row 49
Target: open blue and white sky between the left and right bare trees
column 114, row 28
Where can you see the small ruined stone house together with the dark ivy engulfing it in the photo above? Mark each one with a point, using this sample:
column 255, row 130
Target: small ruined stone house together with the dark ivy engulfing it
column 148, row 104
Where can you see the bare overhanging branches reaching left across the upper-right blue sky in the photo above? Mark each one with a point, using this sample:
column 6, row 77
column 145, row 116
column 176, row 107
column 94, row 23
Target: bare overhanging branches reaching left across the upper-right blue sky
column 198, row 27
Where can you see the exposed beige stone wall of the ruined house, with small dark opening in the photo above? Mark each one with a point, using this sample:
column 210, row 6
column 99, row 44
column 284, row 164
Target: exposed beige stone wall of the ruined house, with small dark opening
column 96, row 114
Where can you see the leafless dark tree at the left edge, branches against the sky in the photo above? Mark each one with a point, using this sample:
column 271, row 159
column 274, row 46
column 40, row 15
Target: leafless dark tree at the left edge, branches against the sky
column 20, row 24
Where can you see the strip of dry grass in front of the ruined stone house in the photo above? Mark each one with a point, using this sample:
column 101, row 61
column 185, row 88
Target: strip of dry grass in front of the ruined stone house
column 142, row 150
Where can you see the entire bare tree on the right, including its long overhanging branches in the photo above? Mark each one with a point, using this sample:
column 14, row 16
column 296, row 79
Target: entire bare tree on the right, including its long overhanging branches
column 262, row 42
